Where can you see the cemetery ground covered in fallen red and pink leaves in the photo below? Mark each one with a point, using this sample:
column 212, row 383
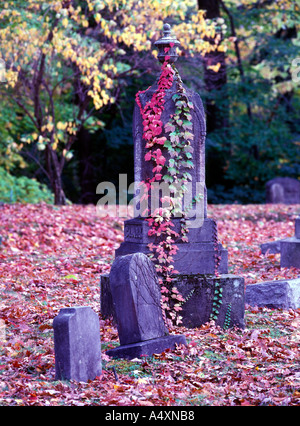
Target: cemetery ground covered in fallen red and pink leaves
column 52, row 257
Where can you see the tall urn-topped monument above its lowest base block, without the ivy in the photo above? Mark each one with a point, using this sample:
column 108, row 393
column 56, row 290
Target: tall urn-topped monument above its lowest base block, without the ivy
column 198, row 255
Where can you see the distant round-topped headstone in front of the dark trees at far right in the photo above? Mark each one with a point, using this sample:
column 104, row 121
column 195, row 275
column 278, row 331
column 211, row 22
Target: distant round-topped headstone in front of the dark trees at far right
column 283, row 190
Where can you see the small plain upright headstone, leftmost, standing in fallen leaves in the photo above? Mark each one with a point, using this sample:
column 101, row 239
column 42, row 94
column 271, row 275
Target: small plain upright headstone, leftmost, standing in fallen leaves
column 77, row 344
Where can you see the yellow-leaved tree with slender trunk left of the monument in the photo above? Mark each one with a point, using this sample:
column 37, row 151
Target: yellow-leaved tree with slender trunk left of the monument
column 65, row 60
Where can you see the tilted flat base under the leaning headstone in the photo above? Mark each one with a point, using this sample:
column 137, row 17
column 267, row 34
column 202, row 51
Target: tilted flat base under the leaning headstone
column 147, row 347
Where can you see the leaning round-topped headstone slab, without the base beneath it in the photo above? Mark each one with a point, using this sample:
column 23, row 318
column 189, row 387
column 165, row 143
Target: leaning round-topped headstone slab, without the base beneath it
column 136, row 297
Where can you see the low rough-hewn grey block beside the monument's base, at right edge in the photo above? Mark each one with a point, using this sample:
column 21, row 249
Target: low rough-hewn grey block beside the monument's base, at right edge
column 284, row 294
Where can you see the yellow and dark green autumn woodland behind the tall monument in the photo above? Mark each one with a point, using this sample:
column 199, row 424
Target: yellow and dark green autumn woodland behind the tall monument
column 68, row 64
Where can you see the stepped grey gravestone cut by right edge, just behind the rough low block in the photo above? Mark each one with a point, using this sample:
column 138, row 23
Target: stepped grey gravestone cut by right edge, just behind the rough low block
column 289, row 248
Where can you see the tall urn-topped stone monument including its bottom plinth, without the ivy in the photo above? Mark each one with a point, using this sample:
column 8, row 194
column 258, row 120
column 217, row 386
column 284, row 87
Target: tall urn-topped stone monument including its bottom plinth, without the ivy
column 201, row 262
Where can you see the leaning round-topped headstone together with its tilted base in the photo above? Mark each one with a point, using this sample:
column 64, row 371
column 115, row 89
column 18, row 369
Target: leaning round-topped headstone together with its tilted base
column 136, row 297
